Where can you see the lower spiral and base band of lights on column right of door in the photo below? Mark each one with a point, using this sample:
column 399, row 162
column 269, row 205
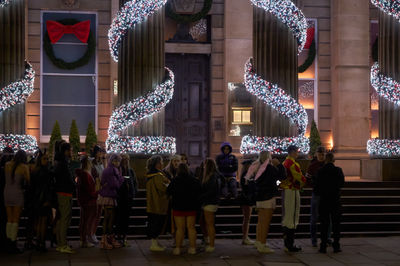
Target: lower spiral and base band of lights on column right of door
column 279, row 100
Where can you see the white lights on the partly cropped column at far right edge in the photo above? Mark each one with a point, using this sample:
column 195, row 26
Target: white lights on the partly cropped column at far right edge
column 387, row 88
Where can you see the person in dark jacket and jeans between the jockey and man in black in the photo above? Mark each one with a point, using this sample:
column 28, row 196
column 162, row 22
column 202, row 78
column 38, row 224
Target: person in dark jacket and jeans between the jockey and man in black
column 316, row 164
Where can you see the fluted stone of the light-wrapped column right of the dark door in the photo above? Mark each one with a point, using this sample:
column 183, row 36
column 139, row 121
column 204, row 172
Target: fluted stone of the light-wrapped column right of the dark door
column 275, row 60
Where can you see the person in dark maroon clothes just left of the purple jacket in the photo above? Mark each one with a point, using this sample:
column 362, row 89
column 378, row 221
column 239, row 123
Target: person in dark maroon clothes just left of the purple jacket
column 87, row 196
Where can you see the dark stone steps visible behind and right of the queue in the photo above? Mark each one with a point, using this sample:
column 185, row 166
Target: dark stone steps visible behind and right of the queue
column 369, row 209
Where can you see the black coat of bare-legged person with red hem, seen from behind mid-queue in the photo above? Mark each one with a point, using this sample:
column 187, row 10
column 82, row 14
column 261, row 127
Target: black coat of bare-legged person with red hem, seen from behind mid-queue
column 185, row 192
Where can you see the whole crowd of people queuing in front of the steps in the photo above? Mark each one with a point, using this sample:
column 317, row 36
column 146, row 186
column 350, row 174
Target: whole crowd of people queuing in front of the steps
column 177, row 198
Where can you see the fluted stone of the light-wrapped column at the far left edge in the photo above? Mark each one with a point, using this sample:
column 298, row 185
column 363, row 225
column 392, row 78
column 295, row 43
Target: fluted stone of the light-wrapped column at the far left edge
column 12, row 62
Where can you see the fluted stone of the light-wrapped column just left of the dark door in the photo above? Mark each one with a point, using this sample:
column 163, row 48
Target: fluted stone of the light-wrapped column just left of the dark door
column 141, row 68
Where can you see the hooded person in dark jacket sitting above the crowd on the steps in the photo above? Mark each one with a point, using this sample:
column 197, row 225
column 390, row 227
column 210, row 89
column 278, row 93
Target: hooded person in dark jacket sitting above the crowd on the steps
column 227, row 164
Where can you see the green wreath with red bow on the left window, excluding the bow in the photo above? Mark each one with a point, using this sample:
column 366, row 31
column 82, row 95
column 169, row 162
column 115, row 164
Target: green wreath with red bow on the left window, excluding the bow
column 60, row 63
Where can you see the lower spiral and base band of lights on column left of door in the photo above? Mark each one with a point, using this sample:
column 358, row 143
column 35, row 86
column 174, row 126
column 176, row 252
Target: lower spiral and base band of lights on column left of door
column 132, row 112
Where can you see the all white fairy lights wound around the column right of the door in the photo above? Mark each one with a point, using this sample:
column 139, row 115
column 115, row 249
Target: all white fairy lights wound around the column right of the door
column 274, row 96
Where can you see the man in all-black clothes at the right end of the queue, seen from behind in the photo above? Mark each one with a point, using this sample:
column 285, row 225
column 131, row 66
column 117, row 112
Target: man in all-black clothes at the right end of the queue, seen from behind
column 328, row 184
